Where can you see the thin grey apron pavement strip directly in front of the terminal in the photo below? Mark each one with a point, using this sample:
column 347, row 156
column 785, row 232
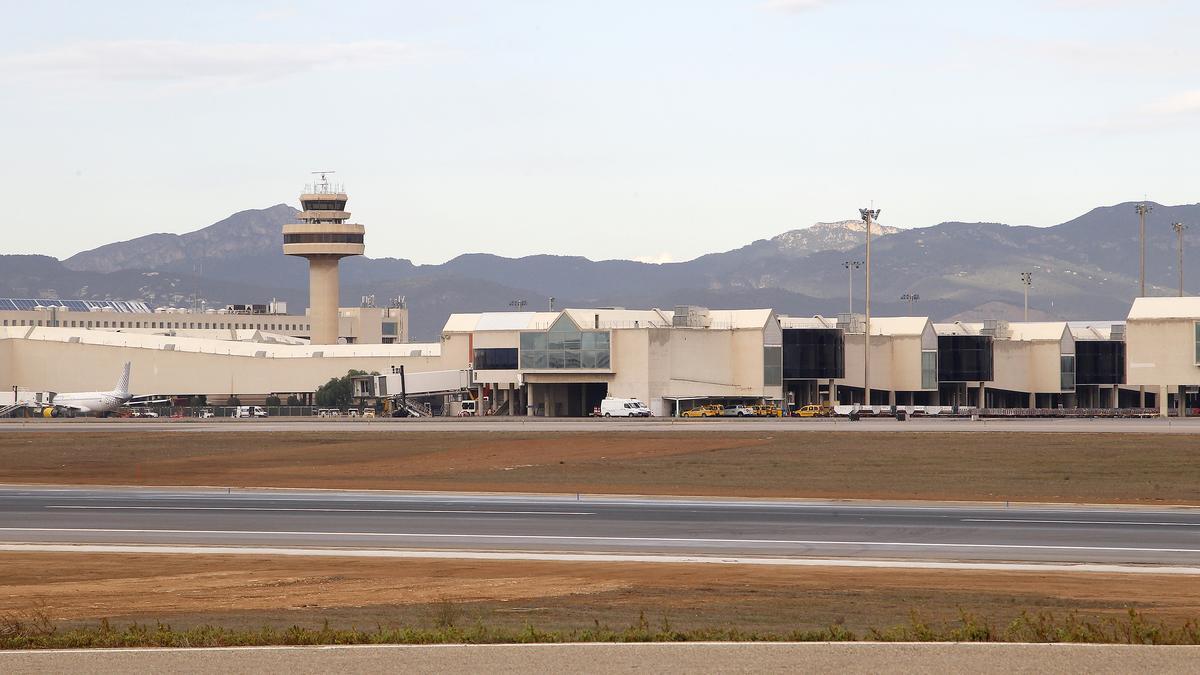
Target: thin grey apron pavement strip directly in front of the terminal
column 543, row 425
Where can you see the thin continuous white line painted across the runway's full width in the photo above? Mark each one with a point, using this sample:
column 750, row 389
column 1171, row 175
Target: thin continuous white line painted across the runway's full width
column 595, row 539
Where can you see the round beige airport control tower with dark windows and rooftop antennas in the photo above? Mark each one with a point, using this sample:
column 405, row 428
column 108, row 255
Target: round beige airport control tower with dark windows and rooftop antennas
column 325, row 238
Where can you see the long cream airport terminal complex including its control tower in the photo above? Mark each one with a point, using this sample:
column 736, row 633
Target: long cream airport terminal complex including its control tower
column 563, row 363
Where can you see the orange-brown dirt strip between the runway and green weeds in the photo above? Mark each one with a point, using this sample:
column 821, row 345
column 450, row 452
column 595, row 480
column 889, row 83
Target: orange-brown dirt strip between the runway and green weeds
column 251, row 592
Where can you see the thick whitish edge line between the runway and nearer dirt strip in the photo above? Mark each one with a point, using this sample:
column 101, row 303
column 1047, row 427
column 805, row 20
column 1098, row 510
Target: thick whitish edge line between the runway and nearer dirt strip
column 598, row 558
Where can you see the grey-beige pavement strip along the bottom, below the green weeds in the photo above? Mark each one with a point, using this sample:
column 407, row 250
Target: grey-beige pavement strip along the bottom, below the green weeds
column 686, row 658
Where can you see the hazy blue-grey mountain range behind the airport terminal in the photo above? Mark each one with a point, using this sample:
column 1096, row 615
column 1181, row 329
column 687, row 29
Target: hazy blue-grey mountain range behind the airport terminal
column 1083, row 270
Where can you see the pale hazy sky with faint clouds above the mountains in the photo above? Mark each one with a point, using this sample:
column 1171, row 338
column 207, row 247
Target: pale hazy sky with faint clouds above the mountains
column 652, row 130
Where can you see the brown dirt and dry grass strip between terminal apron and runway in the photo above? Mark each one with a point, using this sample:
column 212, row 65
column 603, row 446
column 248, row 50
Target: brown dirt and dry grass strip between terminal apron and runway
column 992, row 467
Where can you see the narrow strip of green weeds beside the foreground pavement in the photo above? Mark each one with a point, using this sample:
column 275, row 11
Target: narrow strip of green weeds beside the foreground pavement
column 35, row 631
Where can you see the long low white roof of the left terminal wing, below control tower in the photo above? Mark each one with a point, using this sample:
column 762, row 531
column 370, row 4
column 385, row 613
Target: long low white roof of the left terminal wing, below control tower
column 214, row 347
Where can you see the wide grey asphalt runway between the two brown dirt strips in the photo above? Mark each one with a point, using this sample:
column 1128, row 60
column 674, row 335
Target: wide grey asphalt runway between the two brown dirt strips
column 527, row 524
